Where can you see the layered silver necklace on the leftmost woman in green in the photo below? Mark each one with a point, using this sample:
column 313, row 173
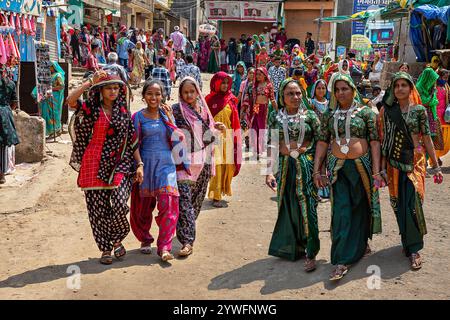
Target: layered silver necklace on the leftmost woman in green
column 298, row 119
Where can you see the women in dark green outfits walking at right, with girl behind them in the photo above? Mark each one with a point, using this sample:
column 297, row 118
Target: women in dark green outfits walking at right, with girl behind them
column 345, row 147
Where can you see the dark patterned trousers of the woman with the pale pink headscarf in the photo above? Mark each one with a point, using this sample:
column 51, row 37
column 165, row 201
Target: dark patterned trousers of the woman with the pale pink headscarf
column 192, row 195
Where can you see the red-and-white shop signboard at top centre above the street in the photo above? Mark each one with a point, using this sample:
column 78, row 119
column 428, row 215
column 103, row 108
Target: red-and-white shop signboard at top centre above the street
column 241, row 11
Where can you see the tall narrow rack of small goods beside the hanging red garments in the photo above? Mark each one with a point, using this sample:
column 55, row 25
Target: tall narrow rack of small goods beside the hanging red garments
column 43, row 73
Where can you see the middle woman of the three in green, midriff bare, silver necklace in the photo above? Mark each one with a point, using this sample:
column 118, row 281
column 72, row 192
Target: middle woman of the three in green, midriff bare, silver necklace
column 354, row 166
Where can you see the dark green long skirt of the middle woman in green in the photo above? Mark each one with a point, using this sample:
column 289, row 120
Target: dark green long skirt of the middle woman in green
column 355, row 209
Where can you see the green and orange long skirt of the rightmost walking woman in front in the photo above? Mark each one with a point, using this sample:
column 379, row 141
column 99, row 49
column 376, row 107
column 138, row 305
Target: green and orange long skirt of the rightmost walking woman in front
column 406, row 191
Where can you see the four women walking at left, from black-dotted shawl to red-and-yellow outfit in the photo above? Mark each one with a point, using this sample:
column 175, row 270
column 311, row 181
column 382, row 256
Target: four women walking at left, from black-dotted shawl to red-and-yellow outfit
column 161, row 156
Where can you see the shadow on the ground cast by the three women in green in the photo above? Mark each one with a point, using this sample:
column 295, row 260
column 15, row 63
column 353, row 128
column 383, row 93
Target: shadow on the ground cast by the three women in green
column 280, row 275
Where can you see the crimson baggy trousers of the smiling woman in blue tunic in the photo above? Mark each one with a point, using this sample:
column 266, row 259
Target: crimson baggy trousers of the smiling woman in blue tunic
column 141, row 218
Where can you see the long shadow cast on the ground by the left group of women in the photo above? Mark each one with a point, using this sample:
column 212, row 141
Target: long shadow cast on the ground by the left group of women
column 90, row 266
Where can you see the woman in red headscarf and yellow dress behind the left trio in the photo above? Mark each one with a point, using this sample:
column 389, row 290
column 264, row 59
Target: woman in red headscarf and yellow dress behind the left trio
column 228, row 152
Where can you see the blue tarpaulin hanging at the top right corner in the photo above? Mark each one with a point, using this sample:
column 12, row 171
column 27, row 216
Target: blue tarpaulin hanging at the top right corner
column 429, row 12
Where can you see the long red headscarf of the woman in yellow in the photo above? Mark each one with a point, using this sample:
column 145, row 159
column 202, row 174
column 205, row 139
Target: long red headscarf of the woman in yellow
column 217, row 101
